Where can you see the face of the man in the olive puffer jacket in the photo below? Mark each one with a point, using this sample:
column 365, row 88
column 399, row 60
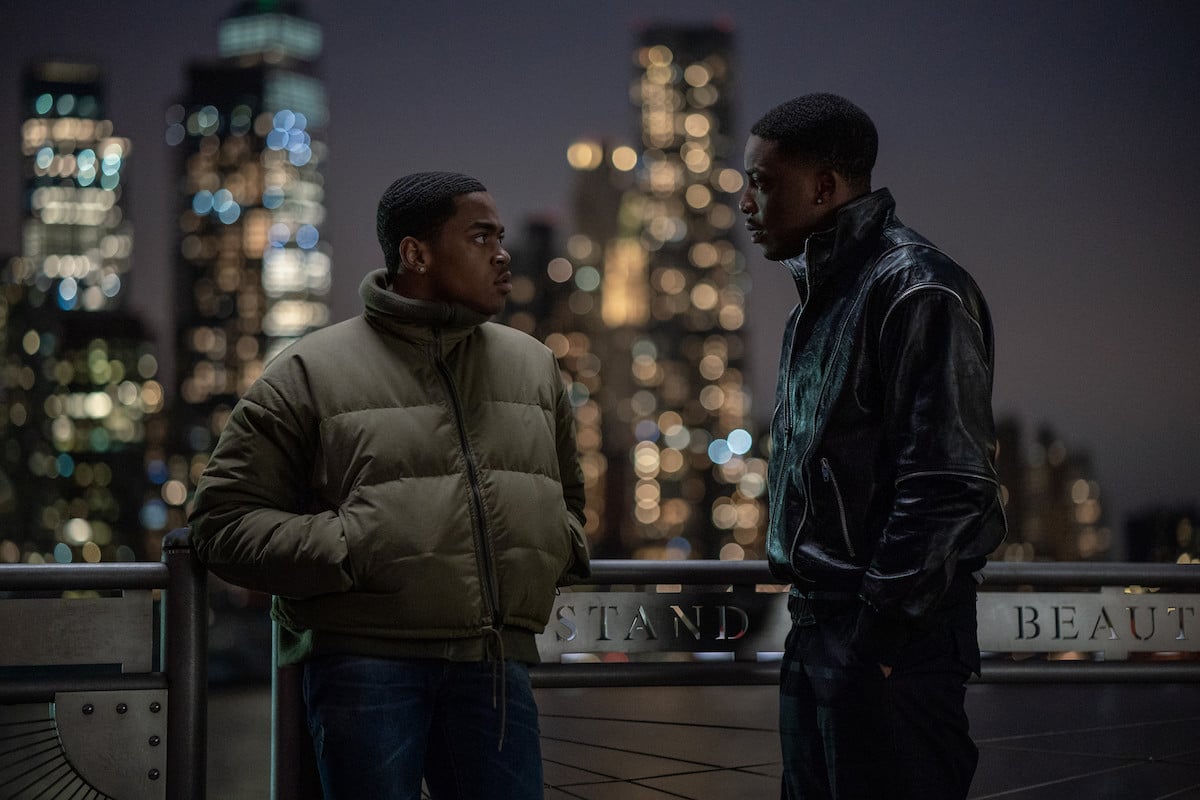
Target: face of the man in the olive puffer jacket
column 469, row 263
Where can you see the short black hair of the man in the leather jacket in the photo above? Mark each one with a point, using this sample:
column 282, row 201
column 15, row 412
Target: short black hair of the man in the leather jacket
column 827, row 130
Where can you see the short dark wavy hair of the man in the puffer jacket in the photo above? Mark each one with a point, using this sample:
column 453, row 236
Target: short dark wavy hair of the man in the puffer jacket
column 418, row 206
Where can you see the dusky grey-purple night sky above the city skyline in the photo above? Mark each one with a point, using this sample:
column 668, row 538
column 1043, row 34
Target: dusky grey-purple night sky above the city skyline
column 1052, row 148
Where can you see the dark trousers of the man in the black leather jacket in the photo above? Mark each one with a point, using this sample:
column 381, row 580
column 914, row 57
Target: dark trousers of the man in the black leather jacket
column 849, row 733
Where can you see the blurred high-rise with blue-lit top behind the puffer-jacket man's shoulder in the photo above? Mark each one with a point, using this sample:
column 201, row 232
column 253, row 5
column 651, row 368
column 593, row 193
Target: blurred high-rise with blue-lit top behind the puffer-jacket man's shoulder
column 253, row 269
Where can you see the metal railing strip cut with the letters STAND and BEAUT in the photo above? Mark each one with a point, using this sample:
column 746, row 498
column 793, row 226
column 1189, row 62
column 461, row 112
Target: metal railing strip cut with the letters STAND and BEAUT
column 1109, row 622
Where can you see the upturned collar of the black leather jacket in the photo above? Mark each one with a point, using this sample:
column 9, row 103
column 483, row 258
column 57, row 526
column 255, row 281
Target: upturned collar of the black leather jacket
column 853, row 238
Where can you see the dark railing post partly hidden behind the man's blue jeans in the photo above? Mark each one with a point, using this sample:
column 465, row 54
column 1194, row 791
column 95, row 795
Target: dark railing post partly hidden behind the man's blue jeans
column 293, row 763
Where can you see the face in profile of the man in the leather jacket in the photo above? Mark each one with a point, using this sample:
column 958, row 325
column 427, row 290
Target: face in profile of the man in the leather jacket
column 781, row 201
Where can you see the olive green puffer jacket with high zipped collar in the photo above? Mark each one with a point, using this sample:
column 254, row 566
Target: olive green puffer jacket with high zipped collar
column 406, row 484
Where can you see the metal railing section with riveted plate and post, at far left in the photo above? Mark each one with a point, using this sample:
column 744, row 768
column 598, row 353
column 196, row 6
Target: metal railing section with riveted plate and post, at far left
column 116, row 631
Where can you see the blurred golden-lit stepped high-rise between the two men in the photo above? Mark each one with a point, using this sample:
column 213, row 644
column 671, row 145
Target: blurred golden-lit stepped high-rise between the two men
column 647, row 315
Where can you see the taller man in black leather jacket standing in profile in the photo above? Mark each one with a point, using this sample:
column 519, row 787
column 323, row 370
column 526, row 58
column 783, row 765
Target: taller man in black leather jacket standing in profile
column 884, row 495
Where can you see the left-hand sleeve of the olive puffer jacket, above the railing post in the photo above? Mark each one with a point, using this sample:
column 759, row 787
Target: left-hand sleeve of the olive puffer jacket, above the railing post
column 250, row 521
